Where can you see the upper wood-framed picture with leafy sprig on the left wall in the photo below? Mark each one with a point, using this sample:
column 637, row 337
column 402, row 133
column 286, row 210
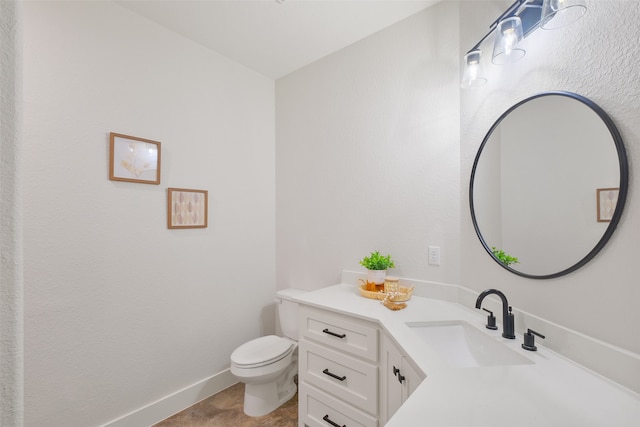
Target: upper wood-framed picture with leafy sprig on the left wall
column 134, row 159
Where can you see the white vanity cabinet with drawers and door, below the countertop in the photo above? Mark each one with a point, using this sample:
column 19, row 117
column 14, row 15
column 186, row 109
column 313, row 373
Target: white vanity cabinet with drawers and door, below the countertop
column 350, row 371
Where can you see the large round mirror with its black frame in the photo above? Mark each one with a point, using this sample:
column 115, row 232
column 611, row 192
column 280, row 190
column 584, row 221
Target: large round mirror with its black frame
column 548, row 185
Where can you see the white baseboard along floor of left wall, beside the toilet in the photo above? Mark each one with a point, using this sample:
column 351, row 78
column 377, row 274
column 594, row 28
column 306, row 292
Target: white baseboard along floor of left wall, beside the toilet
column 175, row 402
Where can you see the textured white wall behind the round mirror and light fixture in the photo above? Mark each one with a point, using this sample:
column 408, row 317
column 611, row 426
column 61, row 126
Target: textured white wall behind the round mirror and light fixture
column 593, row 58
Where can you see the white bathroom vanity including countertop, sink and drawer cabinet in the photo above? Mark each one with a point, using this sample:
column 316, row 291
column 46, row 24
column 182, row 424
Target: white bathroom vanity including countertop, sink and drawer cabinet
column 361, row 364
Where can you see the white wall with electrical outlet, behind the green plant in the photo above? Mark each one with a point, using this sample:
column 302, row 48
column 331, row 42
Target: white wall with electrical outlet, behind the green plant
column 368, row 155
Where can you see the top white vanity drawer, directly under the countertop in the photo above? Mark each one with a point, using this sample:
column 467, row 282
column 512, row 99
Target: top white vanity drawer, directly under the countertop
column 350, row 335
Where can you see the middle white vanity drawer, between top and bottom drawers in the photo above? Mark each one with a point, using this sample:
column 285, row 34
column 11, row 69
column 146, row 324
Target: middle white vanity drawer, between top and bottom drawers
column 352, row 380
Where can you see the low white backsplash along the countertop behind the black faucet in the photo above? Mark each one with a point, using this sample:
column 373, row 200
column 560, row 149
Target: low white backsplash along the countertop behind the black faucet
column 614, row 363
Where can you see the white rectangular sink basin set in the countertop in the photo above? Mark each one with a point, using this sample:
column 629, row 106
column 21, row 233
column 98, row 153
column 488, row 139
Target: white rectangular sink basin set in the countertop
column 461, row 345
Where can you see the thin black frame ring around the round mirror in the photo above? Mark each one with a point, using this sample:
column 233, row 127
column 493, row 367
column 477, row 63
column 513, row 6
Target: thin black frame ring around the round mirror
column 622, row 195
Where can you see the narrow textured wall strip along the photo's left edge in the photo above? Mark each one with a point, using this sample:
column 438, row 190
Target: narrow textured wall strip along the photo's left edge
column 11, row 259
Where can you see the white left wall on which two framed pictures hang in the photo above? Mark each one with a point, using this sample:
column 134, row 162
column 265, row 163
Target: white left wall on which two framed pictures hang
column 119, row 310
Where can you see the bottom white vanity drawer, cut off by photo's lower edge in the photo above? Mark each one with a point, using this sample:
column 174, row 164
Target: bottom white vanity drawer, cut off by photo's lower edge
column 318, row 409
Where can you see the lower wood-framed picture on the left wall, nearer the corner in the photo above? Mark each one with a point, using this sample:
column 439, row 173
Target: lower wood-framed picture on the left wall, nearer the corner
column 187, row 208
